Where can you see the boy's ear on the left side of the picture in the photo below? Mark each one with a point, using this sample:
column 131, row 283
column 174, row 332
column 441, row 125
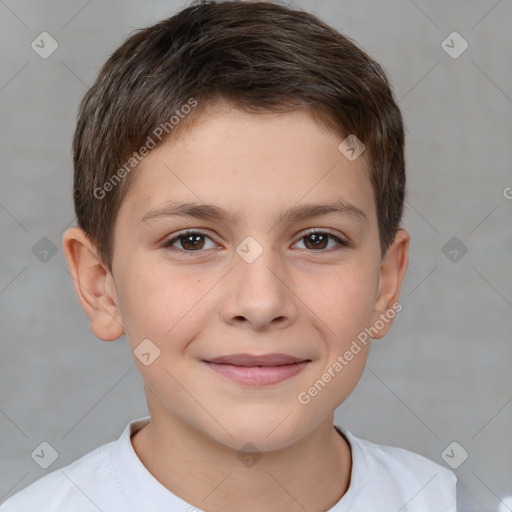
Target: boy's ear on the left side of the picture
column 94, row 285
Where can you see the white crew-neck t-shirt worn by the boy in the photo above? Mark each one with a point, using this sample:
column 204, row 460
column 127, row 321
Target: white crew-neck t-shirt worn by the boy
column 112, row 478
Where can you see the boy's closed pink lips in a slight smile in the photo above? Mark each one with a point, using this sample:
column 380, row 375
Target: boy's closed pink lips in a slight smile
column 260, row 370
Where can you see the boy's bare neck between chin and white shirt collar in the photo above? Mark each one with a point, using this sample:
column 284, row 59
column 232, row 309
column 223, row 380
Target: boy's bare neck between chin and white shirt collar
column 312, row 474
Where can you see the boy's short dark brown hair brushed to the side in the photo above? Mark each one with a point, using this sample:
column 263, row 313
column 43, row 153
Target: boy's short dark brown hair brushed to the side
column 260, row 57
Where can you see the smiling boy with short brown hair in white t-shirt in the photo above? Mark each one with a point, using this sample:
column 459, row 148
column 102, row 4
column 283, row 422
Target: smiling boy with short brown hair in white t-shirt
column 239, row 186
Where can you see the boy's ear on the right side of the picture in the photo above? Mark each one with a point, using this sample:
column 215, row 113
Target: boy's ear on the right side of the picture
column 392, row 271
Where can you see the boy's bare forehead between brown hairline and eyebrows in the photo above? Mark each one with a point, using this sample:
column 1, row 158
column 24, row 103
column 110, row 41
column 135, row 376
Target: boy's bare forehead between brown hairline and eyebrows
column 248, row 164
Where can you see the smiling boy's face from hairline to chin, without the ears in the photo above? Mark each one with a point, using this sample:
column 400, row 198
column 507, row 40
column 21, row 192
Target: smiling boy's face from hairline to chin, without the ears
column 251, row 276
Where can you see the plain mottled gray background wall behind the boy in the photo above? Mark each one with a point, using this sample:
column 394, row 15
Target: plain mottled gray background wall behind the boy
column 441, row 375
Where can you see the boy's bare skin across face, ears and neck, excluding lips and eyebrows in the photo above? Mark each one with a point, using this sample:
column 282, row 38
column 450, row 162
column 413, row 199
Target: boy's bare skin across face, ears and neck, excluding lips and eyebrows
column 207, row 302
